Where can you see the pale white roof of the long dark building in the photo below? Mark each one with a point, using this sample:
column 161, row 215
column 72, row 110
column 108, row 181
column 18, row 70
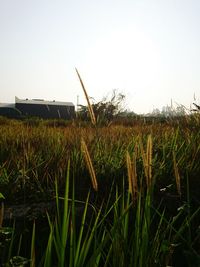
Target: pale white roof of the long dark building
column 42, row 102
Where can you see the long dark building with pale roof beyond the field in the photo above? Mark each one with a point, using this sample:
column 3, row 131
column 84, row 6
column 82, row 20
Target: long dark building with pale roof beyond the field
column 38, row 108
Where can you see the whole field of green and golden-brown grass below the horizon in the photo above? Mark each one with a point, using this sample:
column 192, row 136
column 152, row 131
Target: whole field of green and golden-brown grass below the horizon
column 125, row 195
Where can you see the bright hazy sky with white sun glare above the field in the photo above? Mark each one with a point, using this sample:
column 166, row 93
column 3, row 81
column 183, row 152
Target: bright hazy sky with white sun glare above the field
column 149, row 50
